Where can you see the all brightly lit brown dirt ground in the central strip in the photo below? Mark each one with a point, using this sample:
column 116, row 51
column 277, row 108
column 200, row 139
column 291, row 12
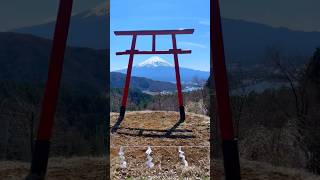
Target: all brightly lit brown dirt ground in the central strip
column 140, row 129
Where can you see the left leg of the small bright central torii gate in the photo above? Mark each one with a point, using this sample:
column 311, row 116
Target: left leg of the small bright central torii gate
column 128, row 77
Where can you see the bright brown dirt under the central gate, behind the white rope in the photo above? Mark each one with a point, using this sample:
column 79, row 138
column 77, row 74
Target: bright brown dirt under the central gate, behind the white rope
column 149, row 128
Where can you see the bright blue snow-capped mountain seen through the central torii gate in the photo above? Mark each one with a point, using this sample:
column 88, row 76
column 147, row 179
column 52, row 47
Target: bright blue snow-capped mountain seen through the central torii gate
column 158, row 69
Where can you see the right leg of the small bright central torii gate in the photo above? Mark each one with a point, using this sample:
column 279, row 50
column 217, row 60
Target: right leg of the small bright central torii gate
column 179, row 89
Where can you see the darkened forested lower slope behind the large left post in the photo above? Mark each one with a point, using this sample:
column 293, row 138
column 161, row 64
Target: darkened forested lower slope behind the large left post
column 79, row 126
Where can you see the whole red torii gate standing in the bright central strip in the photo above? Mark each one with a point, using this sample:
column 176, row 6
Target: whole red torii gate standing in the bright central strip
column 174, row 51
